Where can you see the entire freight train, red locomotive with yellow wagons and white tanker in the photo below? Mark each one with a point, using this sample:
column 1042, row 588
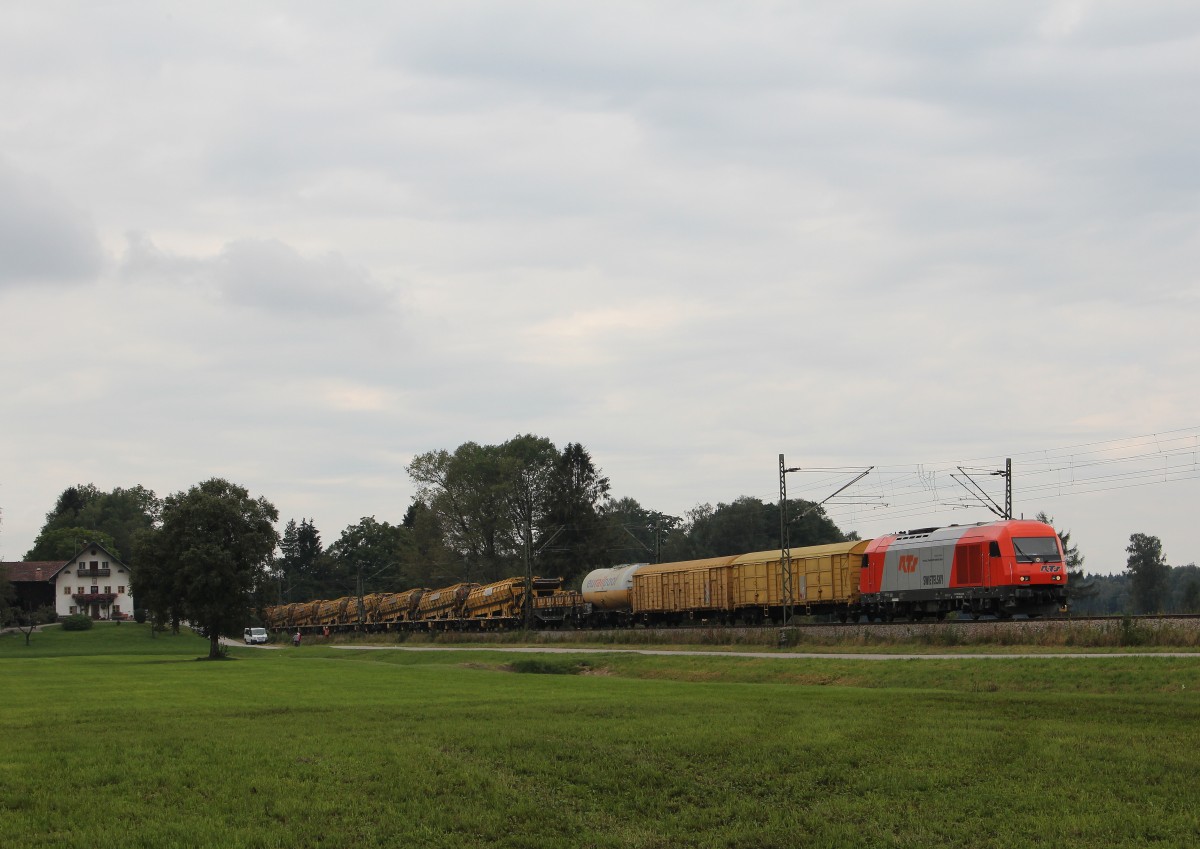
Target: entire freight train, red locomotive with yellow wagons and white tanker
column 1000, row 569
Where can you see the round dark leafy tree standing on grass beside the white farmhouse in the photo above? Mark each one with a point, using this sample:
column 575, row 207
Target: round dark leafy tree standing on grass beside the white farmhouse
column 208, row 558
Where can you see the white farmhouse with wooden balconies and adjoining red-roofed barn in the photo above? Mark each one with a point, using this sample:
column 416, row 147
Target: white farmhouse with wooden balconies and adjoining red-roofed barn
column 94, row 582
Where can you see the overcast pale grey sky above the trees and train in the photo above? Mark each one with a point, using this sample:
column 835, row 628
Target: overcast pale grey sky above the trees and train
column 297, row 244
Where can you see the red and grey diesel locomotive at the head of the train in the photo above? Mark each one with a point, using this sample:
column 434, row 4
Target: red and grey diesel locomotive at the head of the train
column 1000, row 568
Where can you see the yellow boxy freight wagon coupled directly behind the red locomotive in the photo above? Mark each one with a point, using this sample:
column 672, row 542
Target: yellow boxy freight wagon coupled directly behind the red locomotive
column 825, row 579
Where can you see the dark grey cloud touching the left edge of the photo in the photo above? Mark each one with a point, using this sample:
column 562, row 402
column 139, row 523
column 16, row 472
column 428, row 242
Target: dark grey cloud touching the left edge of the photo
column 44, row 239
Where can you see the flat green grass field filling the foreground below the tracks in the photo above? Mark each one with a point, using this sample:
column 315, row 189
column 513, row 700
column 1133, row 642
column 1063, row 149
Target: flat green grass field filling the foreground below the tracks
column 117, row 739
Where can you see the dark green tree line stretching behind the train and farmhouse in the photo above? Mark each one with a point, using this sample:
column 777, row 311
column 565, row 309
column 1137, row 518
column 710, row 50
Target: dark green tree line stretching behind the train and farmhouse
column 481, row 514
